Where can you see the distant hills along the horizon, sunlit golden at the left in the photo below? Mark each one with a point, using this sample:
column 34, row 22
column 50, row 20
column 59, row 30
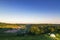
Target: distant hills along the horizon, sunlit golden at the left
column 9, row 25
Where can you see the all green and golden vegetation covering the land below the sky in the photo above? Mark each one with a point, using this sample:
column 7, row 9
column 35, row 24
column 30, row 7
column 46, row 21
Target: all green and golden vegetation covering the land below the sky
column 29, row 31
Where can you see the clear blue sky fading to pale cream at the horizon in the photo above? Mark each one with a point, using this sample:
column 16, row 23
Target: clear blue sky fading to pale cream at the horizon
column 30, row 11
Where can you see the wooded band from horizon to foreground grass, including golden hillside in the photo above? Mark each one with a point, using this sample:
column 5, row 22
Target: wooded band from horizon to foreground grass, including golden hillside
column 30, row 29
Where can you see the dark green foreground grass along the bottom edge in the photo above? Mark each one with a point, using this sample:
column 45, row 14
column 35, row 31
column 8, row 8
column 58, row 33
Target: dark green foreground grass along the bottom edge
column 36, row 37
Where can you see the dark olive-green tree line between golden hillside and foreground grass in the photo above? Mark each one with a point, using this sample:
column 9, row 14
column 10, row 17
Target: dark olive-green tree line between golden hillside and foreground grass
column 35, row 29
